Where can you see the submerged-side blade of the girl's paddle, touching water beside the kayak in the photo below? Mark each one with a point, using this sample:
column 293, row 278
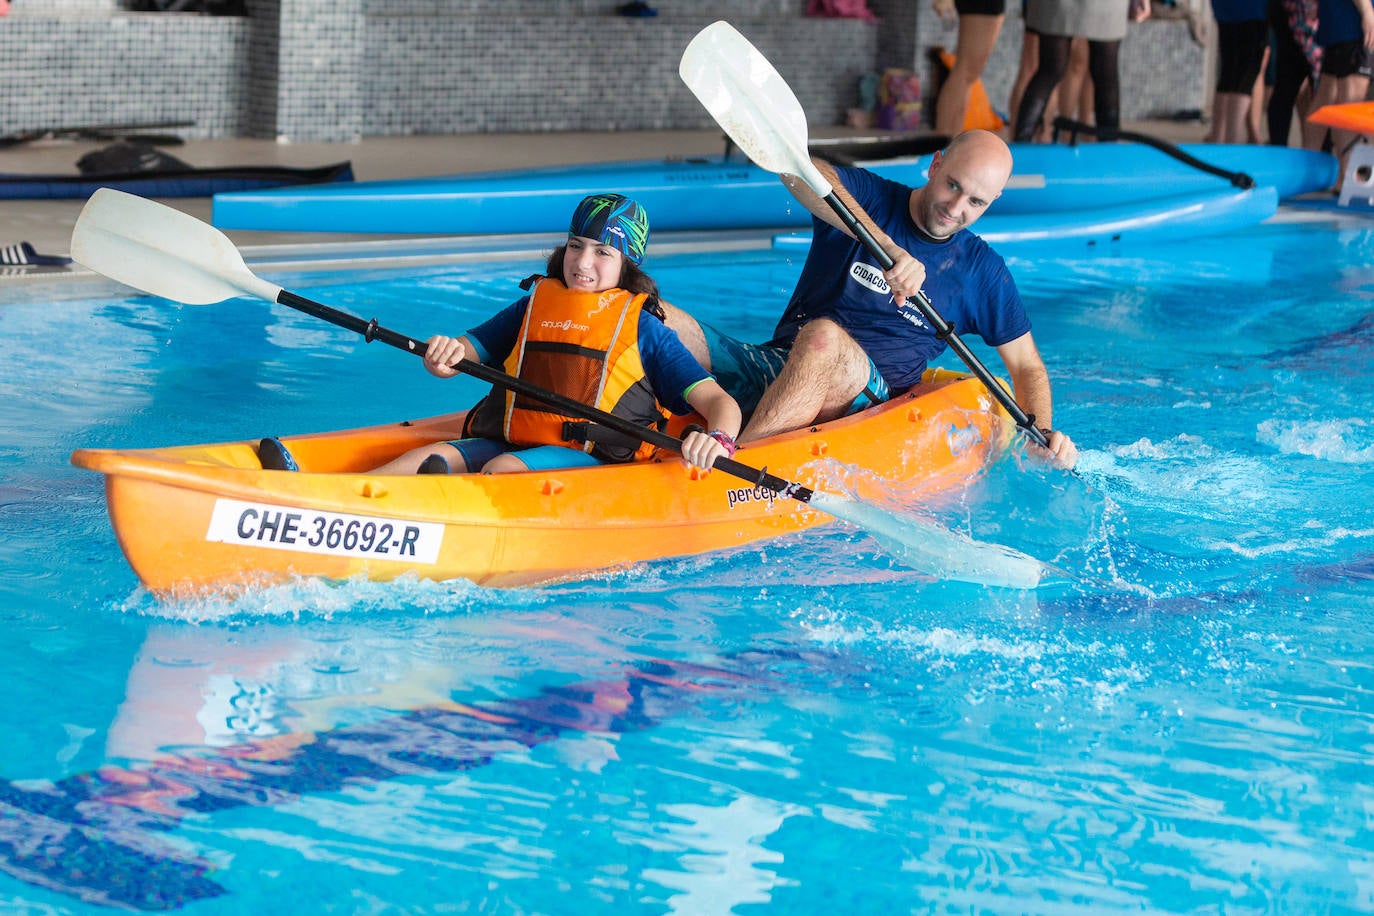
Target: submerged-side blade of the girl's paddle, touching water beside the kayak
column 935, row 550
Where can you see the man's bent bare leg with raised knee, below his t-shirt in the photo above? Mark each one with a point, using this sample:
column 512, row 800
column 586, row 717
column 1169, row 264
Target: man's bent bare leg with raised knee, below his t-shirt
column 825, row 373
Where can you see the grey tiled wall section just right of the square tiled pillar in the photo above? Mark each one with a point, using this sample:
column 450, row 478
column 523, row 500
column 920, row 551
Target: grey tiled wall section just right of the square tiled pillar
column 548, row 73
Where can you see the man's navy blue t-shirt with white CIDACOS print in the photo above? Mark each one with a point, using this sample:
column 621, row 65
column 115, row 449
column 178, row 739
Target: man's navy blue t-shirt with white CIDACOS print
column 967, row 281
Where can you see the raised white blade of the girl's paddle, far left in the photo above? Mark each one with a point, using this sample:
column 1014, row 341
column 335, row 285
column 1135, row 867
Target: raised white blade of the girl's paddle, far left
column 160, row 251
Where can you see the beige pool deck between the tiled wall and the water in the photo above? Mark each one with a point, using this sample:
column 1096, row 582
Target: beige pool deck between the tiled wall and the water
column 47, row 225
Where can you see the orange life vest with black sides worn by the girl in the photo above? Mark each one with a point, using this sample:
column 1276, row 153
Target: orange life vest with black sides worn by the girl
column 582, row 345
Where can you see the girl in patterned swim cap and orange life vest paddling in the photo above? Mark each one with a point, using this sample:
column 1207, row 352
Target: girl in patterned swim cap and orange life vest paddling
column 592, row 330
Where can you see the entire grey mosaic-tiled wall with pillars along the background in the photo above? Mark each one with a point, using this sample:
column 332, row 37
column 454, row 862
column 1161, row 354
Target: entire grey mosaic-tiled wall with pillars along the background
column 341, row 69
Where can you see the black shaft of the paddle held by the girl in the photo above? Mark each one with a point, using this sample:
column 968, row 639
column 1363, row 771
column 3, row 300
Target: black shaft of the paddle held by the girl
column 373, row 332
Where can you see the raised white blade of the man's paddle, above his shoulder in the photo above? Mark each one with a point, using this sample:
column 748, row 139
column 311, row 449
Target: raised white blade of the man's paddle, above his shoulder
column 751, row 102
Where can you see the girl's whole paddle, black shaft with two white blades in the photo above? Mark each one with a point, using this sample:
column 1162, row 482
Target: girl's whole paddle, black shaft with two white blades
column 172, row 255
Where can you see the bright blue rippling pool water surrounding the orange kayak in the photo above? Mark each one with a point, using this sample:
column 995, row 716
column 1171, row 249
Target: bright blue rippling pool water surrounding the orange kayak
column 793, row 727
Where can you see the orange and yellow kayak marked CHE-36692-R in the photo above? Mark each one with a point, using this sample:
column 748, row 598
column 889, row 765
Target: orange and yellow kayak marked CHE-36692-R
column 208, row 517
